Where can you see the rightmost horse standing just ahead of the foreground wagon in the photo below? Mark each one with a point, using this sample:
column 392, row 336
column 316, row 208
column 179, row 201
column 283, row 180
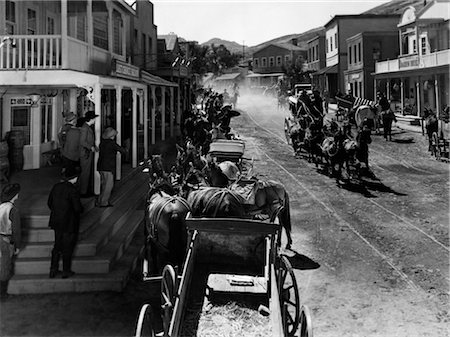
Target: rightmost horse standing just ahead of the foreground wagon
column 260, row 197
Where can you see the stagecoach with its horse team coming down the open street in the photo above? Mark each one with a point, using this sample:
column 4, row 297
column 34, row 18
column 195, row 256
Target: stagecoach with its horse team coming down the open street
column 327, row 143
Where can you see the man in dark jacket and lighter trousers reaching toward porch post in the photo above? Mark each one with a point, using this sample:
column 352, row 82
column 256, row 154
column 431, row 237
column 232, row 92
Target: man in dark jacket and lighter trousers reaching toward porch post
column 106, row 165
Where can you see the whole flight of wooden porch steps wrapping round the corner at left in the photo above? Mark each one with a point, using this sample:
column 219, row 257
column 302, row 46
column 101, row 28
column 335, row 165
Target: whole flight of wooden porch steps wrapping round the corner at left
column 109, row 244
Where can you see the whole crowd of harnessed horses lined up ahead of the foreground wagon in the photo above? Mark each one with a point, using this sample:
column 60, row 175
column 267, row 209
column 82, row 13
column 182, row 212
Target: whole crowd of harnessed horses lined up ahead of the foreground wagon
column 199, row 184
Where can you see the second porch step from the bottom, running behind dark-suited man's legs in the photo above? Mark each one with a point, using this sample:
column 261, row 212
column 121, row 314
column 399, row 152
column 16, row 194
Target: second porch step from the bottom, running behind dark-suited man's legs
column 98, row 264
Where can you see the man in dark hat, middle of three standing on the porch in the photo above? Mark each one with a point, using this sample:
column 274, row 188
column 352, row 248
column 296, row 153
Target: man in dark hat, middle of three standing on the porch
column 87, row 149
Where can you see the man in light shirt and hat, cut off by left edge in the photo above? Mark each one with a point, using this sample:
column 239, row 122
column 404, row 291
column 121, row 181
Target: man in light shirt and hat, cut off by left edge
column 10, row 234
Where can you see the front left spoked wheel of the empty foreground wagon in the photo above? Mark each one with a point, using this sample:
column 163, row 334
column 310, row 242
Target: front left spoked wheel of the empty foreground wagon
column 168, row 289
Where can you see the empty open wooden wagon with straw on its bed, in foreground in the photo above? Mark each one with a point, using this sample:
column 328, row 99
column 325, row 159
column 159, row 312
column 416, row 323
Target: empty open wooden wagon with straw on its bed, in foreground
column 230, row 262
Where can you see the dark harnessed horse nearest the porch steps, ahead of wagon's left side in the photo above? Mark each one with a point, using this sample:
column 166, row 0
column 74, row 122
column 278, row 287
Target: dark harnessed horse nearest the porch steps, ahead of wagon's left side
column 165, row 228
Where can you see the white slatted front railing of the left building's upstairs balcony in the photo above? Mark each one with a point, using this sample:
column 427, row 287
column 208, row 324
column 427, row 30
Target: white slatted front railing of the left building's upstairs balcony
column 31, row 52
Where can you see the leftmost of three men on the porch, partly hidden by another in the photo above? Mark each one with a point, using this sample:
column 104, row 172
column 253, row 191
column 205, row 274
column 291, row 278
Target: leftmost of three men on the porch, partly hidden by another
column 69, row 139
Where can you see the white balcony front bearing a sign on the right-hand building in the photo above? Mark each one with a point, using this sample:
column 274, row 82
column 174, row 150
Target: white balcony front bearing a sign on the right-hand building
column 410, row 62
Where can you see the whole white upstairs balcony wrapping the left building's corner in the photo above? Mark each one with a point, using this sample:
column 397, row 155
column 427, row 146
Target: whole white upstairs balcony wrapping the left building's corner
column 52, row 52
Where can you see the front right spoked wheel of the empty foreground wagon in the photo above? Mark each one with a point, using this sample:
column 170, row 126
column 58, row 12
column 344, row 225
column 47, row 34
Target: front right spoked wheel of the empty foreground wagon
column 289, row 297
